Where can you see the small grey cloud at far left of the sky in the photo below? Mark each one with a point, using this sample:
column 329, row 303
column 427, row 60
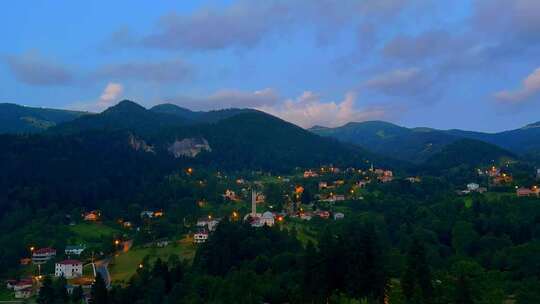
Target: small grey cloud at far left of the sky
column 32, row 69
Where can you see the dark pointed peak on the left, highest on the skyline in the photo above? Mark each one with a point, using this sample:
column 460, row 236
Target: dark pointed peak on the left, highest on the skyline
column 126, row 115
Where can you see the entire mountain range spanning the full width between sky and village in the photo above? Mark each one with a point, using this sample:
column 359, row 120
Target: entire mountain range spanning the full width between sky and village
column 250, row 138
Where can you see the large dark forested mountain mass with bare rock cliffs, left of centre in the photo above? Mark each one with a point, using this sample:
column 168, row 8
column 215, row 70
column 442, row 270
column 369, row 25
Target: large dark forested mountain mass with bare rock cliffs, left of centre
column 229, row 139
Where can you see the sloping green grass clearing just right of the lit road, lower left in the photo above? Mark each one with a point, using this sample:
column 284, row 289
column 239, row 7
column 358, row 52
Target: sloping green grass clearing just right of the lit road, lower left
column 125, row 264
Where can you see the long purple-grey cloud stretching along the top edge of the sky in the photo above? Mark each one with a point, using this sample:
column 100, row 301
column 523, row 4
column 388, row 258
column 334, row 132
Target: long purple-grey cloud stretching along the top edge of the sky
column 245, row 23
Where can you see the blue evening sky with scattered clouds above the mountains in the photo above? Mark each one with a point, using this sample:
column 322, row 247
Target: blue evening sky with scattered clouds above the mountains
column 467, row 64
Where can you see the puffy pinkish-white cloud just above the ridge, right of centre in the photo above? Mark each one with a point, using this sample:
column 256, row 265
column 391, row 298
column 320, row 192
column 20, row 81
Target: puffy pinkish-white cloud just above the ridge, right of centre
column 308, row 110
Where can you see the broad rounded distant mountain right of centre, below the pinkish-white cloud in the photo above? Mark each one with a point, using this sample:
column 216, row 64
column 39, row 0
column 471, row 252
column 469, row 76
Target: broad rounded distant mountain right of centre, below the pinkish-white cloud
column 384, row 138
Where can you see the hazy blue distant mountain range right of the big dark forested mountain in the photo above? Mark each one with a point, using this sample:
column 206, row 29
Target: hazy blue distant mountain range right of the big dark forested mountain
column 420, row 144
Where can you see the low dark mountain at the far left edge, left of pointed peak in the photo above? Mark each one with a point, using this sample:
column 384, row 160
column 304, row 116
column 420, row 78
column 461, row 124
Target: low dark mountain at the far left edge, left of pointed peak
column 20, row 119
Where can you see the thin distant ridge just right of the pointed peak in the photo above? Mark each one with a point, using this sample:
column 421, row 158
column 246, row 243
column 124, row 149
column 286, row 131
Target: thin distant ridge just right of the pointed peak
column 198, row 116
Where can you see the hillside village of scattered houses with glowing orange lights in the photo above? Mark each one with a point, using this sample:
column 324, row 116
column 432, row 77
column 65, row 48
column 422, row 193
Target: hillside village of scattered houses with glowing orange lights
column 309, row 197
